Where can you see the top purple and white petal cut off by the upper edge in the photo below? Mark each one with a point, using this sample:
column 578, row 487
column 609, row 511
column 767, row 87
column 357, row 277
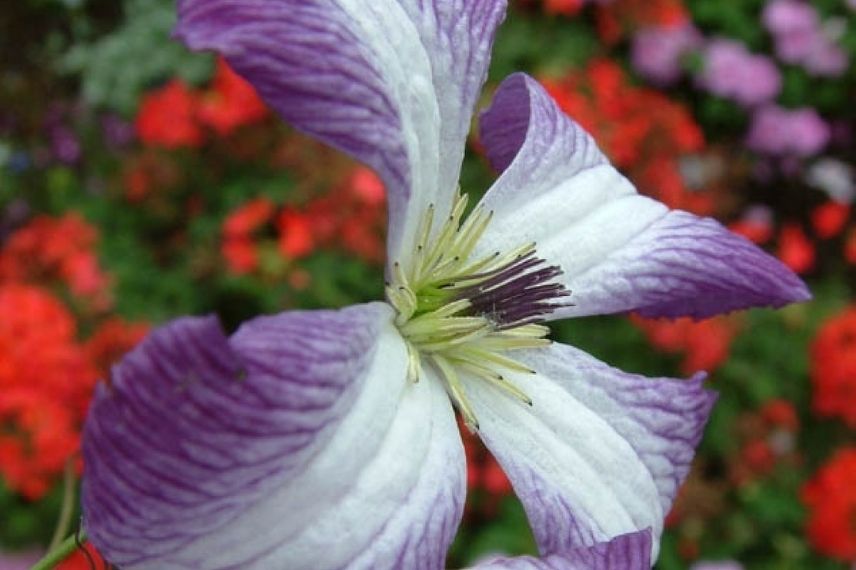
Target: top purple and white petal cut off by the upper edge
column 391, row 82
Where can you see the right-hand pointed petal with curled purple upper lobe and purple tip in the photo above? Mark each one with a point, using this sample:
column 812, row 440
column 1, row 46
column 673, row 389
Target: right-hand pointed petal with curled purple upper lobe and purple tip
column 619, row 251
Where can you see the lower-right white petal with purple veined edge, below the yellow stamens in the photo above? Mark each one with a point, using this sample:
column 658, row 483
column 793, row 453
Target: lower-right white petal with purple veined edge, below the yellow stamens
column 600, row 453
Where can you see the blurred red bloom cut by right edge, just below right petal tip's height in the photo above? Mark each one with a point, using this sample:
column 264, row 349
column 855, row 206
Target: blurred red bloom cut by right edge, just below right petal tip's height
column 833, row 367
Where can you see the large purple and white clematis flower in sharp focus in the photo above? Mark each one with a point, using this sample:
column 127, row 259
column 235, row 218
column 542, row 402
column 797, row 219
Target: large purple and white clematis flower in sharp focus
column 328, row 439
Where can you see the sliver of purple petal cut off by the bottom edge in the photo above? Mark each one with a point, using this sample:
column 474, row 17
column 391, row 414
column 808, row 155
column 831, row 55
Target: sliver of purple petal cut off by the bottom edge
column 628, row 552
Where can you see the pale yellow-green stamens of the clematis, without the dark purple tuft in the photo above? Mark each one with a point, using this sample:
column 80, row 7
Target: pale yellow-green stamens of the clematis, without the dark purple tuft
column 438, row 321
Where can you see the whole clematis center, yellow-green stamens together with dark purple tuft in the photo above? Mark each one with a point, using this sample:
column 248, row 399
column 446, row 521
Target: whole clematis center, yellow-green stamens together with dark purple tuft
column 464, row 314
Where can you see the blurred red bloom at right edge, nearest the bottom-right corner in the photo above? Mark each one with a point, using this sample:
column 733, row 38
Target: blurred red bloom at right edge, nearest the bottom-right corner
column 831, row 500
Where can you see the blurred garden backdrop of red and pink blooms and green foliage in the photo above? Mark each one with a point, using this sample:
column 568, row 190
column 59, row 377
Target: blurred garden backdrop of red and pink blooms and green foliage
column 139, row 182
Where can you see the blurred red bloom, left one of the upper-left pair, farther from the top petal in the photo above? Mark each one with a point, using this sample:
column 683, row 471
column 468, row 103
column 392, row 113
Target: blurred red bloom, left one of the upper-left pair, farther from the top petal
column 168, row 117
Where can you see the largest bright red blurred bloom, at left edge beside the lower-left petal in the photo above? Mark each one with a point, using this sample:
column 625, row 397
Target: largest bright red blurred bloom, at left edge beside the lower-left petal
column 46, row 381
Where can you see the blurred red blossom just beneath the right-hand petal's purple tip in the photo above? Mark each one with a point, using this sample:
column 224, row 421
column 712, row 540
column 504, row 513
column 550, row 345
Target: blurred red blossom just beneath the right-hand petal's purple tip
column 704, row 345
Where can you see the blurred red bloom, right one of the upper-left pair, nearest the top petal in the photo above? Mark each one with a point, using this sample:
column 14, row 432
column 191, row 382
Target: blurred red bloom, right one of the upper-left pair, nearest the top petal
column 231, row 103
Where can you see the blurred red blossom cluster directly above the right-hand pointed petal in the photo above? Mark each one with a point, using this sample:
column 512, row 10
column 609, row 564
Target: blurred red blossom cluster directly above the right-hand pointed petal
column 644, row 132
